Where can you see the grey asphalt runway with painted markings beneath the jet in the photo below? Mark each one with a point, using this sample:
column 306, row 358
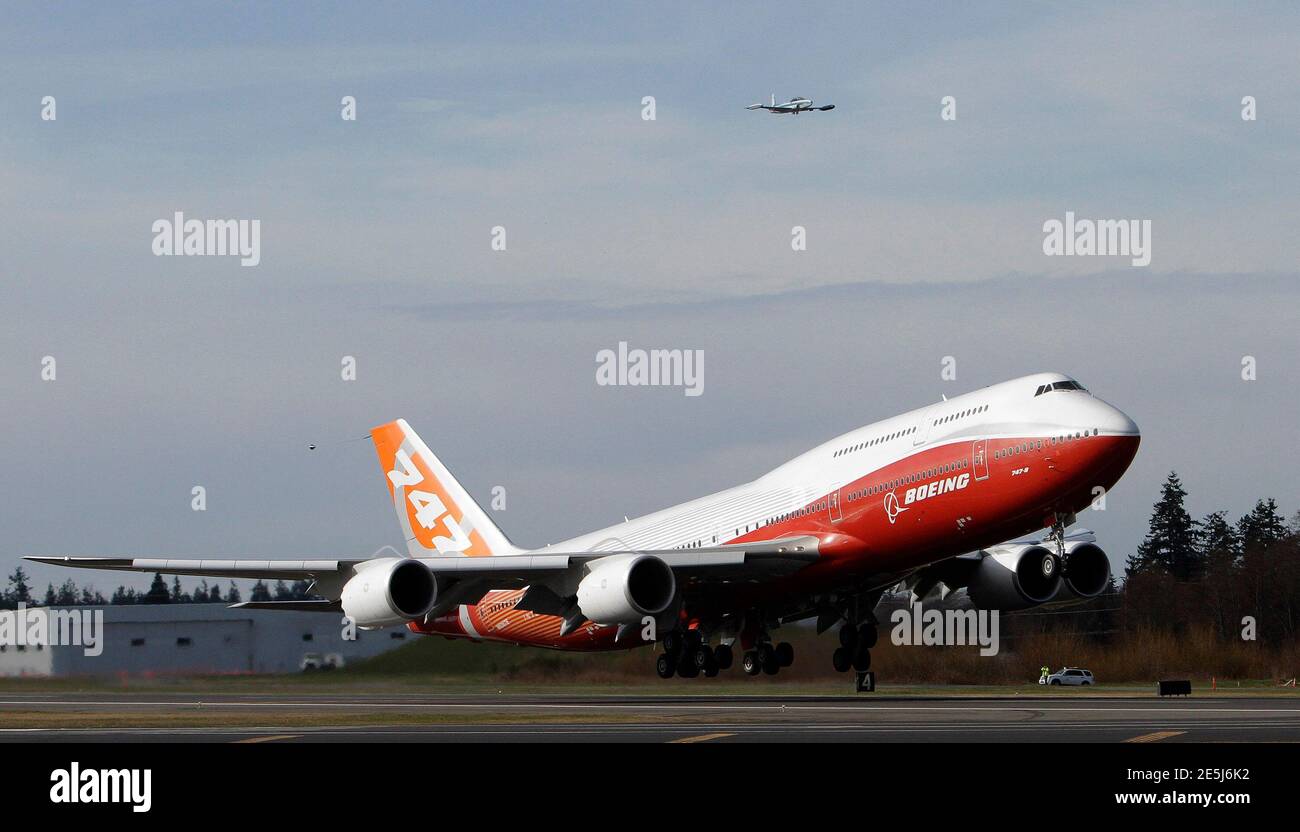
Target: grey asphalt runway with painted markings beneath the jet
column 692, row 720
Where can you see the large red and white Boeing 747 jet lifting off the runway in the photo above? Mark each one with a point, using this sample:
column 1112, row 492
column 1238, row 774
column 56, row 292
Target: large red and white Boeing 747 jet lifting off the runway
column 925, row 499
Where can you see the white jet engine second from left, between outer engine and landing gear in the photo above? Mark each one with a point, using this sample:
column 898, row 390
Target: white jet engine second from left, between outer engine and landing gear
column 623, row 590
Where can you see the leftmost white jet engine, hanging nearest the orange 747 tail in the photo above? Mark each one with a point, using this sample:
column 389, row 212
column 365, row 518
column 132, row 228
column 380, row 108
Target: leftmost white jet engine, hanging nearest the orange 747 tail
column 389, row 591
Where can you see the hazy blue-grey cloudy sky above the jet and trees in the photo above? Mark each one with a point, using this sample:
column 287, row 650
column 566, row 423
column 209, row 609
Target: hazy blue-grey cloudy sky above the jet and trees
column 925, row 240
